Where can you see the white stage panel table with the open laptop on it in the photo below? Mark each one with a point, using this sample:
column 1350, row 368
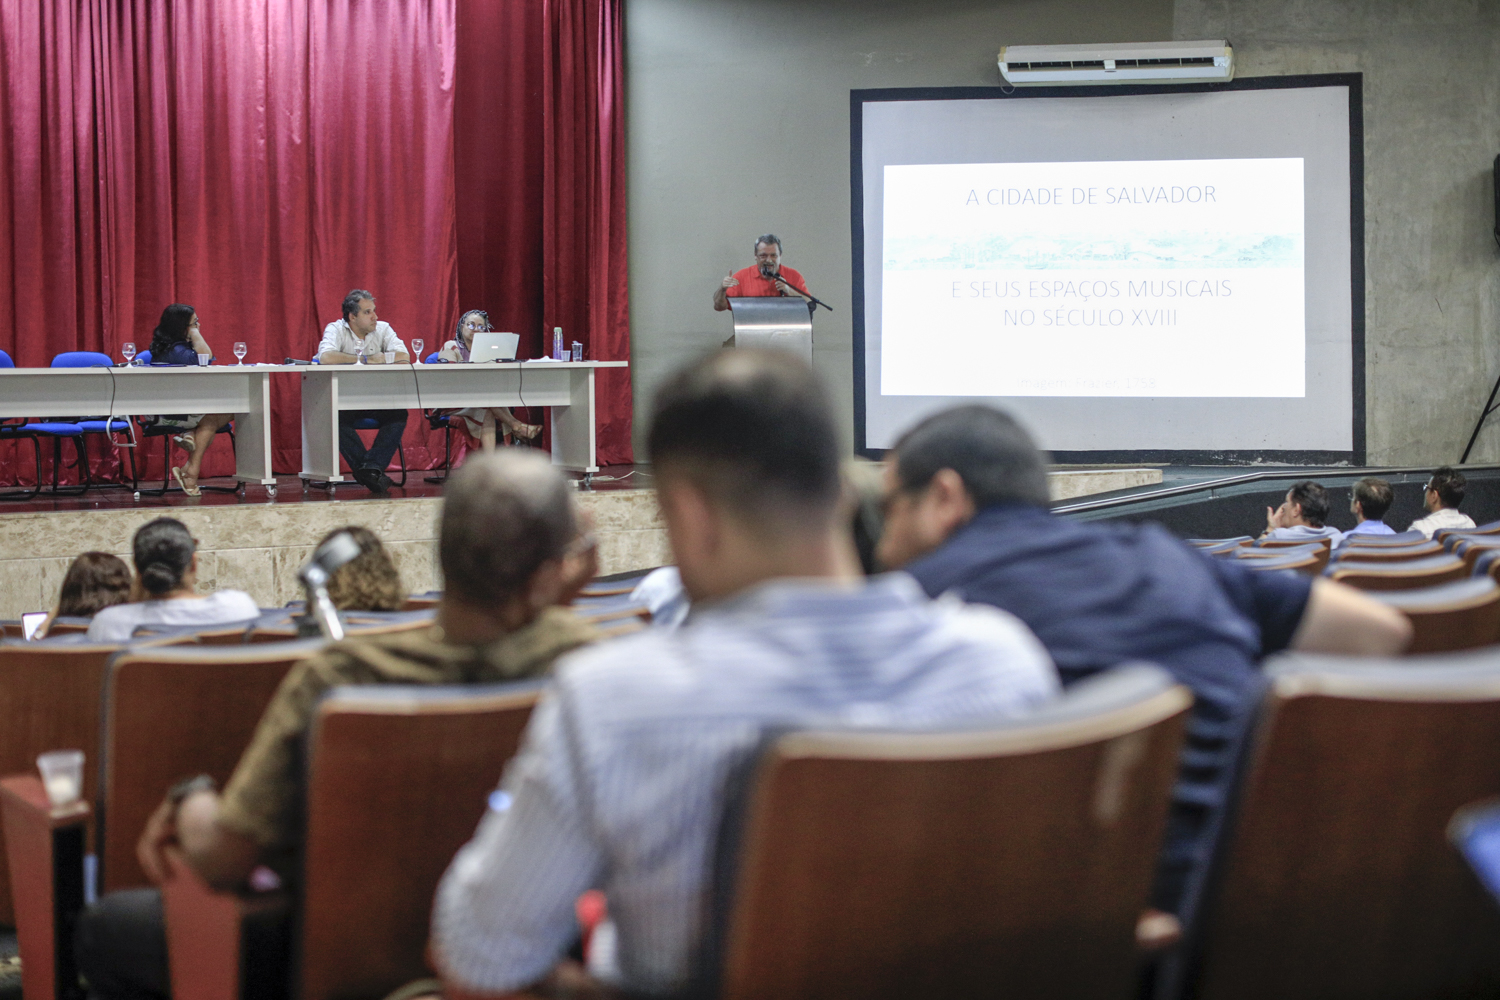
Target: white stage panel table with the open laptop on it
column 566, row 388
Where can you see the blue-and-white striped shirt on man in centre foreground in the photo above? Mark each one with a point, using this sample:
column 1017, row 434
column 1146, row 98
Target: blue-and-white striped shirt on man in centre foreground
column 623, row 773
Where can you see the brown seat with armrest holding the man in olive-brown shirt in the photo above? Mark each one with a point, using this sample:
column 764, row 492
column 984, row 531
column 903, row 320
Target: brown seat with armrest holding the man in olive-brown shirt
column 398, row 779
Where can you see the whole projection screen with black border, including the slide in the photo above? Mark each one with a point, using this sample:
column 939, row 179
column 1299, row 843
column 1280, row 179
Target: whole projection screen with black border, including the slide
column 1139, row 274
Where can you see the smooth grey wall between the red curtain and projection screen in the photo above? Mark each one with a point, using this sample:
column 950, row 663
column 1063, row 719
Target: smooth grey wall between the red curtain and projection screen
column 739, row 124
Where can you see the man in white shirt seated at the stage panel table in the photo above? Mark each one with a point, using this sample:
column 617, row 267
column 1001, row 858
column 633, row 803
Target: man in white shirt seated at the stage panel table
column 364, row 335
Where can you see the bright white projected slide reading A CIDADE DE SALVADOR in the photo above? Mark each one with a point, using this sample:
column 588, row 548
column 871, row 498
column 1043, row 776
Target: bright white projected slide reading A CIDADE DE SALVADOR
column 1136, row 278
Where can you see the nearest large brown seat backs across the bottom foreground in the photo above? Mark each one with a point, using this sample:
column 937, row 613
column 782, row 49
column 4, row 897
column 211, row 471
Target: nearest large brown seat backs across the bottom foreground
column 835, row 879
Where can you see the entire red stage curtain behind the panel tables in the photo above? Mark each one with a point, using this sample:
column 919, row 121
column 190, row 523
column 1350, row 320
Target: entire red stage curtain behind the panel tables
column 260, row 158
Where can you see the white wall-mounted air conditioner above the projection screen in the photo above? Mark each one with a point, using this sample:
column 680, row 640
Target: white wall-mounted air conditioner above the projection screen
column 1130, row 64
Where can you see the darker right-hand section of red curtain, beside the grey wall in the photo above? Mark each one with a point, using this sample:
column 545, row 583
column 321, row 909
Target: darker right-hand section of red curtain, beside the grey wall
column 541, row 179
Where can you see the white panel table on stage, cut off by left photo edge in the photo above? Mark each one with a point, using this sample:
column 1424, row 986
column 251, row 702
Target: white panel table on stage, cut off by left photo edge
column 136, row 392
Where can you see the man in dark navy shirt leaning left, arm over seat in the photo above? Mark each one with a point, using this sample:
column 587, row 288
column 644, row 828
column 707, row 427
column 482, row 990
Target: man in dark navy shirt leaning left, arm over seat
column 967, row 513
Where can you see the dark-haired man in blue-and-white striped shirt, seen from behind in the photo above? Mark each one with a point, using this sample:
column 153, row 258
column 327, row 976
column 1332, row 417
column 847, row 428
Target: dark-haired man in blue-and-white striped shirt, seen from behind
column 628, row 761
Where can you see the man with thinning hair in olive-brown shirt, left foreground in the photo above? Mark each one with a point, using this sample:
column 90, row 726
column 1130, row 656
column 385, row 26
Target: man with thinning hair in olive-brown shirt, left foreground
column 511, row 554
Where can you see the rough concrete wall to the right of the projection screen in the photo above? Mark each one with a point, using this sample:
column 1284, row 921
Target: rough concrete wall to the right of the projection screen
column 1432, row 134
